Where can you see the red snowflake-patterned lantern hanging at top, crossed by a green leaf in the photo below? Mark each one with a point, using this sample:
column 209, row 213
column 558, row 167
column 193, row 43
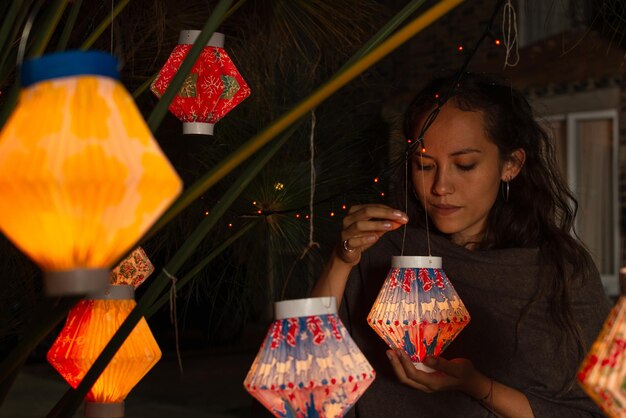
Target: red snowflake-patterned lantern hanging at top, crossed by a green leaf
column 212, row 88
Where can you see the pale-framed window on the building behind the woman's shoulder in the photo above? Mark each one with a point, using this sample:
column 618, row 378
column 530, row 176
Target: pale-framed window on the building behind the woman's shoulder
column 586, row 145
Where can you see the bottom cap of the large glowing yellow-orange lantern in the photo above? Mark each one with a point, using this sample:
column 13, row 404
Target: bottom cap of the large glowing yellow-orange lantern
column 76, row 282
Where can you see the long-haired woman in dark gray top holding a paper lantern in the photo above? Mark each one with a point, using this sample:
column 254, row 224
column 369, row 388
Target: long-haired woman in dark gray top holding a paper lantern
column 486, row 181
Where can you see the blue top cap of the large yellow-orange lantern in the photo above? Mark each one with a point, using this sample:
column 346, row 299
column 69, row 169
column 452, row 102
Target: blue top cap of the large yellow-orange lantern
column 69, row 63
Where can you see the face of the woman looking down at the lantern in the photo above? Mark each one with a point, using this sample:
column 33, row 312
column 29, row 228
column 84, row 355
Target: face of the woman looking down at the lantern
column 457, row 177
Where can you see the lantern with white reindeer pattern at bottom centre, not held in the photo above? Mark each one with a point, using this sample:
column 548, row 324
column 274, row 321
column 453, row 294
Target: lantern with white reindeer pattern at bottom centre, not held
column 308, row 365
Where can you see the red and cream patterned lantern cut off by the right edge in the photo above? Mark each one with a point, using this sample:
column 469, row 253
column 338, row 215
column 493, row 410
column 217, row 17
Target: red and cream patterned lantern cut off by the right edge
column 602, row 373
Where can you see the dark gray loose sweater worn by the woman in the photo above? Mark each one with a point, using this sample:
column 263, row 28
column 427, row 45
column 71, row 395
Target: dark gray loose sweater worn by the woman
column 495, row 286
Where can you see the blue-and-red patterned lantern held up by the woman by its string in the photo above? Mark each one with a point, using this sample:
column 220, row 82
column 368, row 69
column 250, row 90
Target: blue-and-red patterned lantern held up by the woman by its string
column 417, row 309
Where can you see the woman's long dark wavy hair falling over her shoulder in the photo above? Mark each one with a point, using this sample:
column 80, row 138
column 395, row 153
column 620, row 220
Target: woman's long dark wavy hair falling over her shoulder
column 540, row 210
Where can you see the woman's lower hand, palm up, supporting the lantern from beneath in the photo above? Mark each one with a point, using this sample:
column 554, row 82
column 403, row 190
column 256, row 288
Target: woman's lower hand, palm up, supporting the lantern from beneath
column 455, row 374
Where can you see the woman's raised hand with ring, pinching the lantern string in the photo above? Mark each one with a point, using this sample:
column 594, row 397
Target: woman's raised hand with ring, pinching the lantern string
column 363, row 226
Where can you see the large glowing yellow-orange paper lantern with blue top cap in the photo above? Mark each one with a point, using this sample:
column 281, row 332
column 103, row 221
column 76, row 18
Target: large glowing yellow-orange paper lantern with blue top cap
column 81, row 177
